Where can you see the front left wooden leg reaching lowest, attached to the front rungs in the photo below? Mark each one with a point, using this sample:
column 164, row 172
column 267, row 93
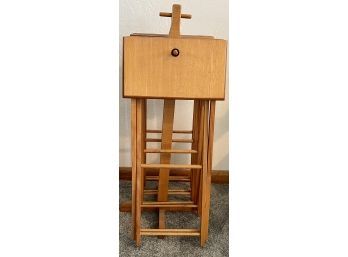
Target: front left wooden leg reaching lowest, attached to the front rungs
column 139, row 182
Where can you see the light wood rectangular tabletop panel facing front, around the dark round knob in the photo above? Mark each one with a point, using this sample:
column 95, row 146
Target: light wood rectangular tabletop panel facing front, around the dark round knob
column 151, row 71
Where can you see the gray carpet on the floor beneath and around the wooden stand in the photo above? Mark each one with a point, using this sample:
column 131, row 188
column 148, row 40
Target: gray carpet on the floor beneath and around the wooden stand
column 216, row 246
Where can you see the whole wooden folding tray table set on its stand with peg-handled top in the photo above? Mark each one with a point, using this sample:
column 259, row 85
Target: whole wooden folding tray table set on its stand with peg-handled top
column 173, row 67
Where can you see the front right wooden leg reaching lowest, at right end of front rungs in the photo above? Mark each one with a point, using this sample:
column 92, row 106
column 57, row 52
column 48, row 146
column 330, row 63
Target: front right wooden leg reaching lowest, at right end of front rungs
column 204, row 177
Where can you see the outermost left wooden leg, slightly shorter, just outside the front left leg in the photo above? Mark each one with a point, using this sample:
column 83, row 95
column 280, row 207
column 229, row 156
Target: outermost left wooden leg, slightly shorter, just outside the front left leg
column 134, row 159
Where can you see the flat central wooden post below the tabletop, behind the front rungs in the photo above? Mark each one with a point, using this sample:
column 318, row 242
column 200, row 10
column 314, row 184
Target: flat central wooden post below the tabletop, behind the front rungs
column 167, row 132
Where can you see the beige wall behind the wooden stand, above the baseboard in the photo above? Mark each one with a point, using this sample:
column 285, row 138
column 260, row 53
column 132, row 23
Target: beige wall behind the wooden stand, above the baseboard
column 208, row 18
